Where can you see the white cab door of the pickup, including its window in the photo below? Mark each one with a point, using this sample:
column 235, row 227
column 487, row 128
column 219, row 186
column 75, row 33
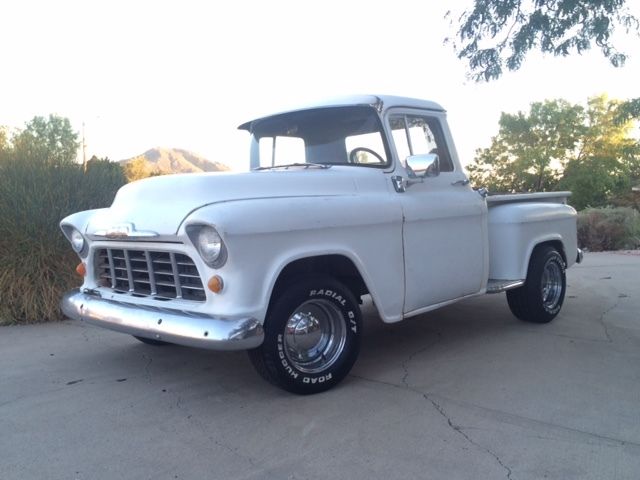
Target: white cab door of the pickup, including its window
column 444, row 228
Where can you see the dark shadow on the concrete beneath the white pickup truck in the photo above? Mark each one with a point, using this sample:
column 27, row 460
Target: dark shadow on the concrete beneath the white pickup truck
column 385, row 348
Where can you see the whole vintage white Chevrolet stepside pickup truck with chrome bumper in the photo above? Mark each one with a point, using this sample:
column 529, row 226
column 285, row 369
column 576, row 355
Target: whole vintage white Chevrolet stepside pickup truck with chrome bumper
column 361, row 196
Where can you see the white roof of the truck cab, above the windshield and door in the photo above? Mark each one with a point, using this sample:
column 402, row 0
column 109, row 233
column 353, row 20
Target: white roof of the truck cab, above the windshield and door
column 380, row 102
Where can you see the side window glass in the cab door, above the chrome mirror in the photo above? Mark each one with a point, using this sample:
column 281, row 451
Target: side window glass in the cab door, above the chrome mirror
column 415, row 135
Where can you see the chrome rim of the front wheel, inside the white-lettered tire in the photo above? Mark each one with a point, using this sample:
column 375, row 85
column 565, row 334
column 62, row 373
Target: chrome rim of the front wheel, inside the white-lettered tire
column 315, row 335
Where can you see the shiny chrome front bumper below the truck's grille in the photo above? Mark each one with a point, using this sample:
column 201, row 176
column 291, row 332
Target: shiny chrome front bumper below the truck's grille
column 182, row 328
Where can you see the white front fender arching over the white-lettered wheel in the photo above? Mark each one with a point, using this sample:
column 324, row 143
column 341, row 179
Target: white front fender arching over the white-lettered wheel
column 263, row 236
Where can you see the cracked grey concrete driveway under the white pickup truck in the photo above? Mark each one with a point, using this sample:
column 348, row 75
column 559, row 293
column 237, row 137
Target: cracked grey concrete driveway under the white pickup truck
column 467, row 392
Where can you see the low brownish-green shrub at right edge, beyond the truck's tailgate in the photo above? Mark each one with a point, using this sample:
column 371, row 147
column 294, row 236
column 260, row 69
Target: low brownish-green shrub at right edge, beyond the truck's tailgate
column 601, row 229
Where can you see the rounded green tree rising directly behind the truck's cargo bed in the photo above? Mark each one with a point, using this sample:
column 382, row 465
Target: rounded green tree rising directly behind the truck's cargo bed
column 531, row 149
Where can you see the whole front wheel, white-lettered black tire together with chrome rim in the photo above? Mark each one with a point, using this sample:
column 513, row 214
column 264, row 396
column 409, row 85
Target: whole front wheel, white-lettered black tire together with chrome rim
column 312, row 336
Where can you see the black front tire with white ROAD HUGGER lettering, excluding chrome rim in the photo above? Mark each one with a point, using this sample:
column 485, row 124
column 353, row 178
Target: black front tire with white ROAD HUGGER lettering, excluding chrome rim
column 276, row 359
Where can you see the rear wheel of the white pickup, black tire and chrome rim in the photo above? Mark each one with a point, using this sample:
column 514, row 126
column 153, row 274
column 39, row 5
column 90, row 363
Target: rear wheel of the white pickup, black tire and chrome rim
column 540, row 299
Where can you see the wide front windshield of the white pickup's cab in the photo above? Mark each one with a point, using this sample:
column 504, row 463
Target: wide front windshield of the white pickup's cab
column 324, row 136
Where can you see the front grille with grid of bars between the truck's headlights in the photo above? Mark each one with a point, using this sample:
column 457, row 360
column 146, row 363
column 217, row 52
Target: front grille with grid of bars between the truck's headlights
column 162, row 275
